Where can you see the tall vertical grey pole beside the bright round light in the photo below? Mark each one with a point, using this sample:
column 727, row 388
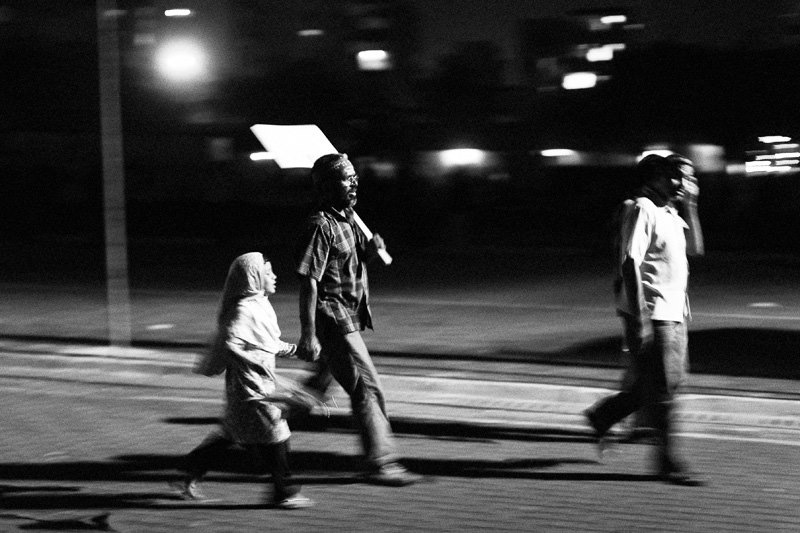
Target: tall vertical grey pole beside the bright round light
column 116, row 244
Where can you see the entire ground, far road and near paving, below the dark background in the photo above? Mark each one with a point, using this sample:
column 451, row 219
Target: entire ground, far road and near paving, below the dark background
column 485, row 382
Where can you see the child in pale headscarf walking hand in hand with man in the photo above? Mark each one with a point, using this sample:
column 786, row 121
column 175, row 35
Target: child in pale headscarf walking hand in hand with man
column 246, row 344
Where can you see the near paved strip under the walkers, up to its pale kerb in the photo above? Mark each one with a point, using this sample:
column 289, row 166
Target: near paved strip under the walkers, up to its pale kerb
column 91, row 431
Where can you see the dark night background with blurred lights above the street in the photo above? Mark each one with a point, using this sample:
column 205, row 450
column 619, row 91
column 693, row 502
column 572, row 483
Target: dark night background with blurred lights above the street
column 127, row 160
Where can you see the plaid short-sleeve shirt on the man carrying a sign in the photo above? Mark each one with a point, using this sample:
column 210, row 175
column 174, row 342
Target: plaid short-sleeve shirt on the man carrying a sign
column 332, row 252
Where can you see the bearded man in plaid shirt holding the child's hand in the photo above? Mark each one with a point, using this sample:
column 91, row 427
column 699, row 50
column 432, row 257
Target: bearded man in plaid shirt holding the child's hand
column 334, row 309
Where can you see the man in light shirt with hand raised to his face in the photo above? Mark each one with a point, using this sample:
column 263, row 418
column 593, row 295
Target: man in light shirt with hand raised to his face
column 655, row 228
